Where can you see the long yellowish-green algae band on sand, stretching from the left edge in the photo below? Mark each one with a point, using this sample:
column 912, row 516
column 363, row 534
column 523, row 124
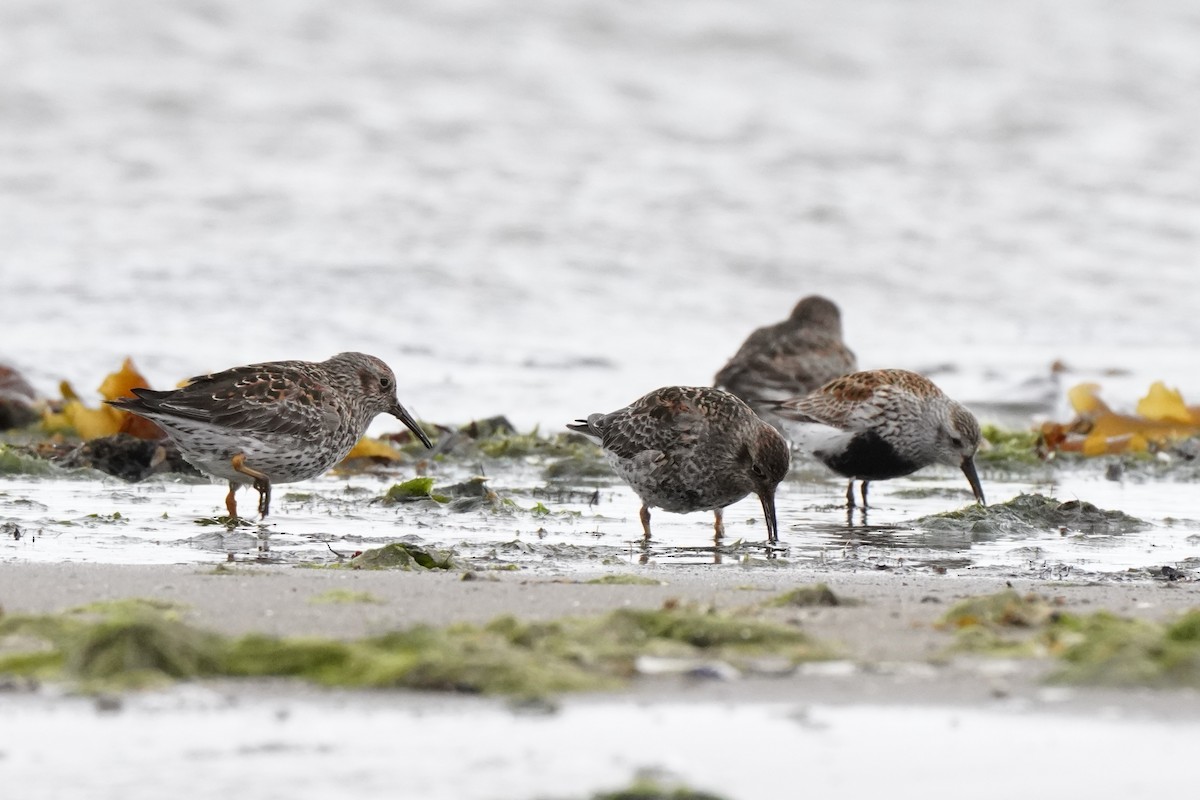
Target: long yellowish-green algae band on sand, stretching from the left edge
column 116, row 648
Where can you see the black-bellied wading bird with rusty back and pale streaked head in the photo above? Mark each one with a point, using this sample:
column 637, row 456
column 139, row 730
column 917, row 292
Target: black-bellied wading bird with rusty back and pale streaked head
column 883, row 424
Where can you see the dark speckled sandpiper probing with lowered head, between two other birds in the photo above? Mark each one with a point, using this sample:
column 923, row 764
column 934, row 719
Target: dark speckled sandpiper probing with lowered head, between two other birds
column 693, row 449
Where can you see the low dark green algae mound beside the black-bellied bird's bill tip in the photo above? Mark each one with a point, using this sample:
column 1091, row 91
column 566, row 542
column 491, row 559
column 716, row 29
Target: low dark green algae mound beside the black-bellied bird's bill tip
column 1029, row 514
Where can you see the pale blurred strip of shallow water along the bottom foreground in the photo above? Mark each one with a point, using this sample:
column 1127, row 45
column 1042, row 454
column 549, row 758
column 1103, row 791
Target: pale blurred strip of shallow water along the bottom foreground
column 320, row 748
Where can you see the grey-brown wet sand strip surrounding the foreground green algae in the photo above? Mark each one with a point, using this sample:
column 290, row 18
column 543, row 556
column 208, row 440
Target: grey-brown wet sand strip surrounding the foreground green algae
column 893, row 652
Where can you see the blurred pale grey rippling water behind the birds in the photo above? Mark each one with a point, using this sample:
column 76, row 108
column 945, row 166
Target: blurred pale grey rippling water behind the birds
column 544, row 209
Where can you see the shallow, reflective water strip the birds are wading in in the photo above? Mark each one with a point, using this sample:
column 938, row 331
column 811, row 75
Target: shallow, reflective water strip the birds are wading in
column 172, row 521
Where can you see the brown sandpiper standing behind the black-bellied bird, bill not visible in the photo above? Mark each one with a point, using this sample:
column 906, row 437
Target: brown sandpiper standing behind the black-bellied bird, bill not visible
column 789, row 359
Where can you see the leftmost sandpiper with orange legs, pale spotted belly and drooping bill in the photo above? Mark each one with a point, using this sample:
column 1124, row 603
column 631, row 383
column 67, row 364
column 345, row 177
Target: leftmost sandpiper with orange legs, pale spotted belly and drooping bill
column 274, row 423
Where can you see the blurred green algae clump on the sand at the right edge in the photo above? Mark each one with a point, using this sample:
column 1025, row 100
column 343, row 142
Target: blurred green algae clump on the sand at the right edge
column 1099, row 649
